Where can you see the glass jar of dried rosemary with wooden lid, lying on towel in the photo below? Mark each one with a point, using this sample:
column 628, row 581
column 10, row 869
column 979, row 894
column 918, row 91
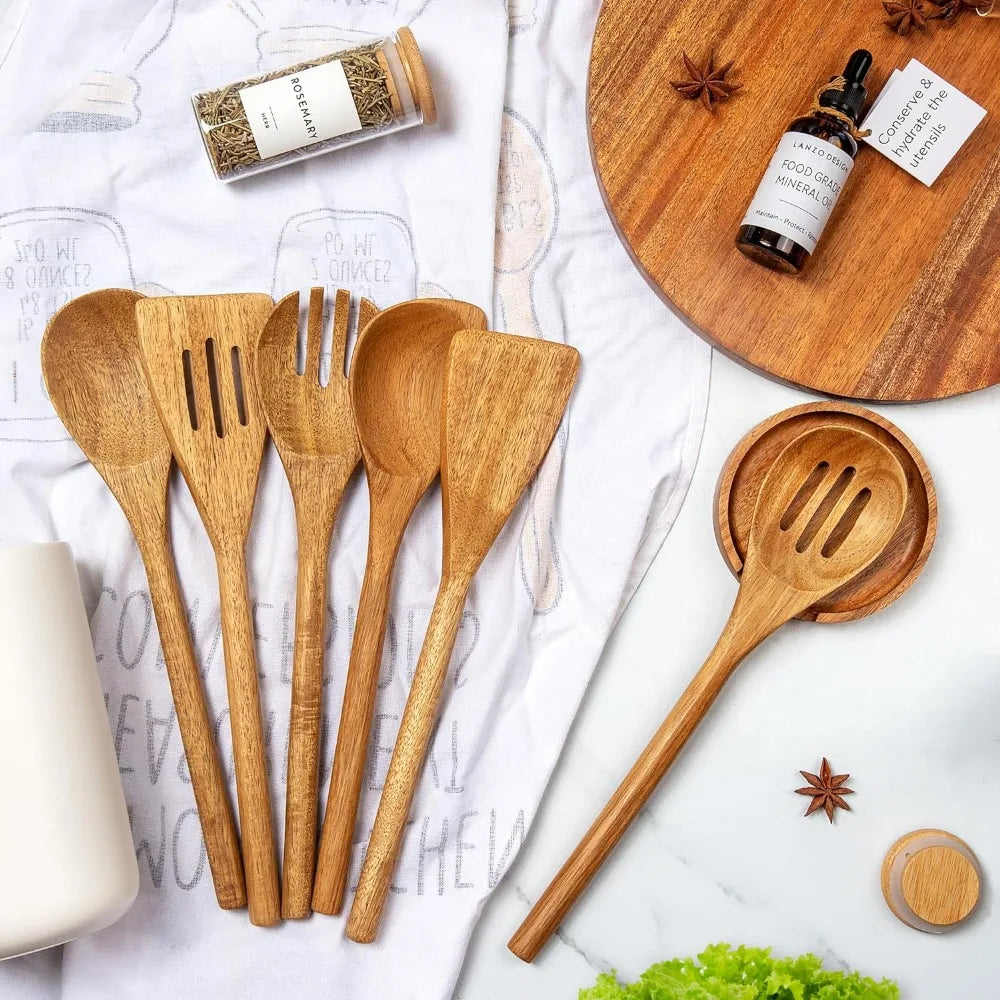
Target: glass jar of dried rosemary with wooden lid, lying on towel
column 312, row 107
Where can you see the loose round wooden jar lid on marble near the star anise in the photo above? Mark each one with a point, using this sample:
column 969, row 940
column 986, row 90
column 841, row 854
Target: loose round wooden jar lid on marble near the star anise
column 931, row 880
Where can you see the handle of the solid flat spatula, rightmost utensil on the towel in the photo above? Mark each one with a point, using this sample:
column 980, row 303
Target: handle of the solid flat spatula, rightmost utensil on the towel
column 407, row 761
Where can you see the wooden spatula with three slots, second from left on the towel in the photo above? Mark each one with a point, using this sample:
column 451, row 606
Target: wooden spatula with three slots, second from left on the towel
column 198, row 355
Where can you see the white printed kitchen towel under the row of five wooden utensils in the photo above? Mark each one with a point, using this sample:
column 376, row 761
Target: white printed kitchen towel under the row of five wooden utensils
column 110, row 186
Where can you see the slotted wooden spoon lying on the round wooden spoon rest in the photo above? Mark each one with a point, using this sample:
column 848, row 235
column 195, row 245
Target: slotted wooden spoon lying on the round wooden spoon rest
column 827, row 509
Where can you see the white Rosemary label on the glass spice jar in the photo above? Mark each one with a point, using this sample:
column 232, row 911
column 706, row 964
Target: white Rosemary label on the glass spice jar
column 301, row 108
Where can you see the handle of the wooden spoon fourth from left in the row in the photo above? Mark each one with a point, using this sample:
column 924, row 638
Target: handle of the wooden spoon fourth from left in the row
column 333, row 863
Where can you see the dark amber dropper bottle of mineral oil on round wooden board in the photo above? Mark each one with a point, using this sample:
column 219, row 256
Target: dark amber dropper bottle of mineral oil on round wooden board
column 806, row 176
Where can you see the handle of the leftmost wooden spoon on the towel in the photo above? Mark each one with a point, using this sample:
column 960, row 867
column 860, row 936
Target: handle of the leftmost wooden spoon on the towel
column 208, row 780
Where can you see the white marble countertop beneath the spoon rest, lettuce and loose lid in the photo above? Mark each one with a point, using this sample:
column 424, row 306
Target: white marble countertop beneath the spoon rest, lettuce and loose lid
column 908, row 701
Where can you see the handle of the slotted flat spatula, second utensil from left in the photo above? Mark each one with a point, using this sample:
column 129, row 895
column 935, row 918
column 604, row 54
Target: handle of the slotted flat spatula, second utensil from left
column 259, row 860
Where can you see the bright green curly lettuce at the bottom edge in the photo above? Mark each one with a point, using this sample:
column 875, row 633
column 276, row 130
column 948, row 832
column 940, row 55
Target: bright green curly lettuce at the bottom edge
column 724, row 973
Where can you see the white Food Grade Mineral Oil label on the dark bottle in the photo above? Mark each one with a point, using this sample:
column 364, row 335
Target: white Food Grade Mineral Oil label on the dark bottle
column 800, row 188
